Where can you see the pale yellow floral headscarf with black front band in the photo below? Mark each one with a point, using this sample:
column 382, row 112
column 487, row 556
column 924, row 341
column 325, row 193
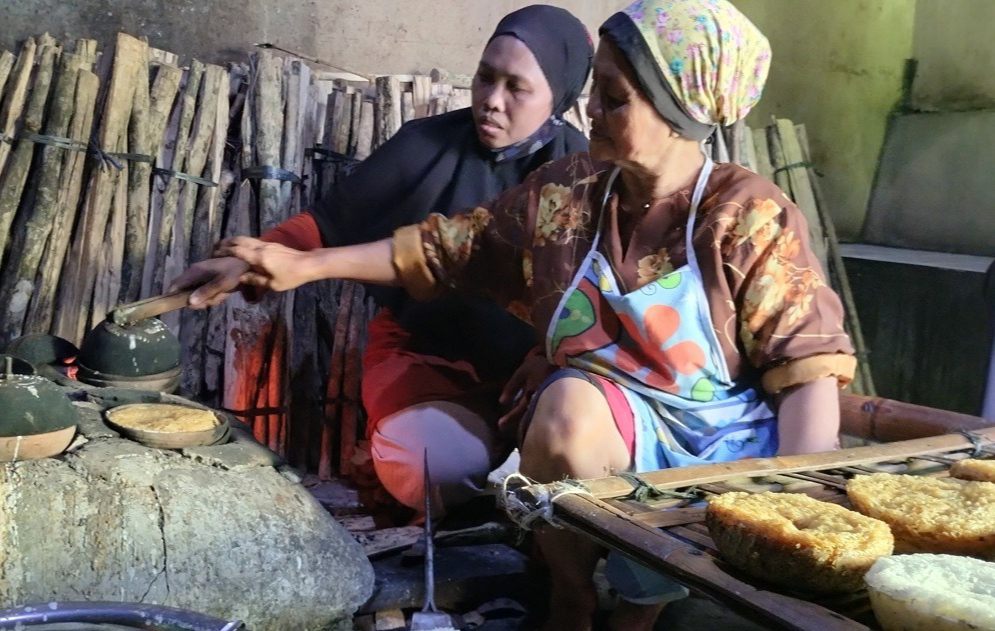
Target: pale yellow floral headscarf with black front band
column 701, row 62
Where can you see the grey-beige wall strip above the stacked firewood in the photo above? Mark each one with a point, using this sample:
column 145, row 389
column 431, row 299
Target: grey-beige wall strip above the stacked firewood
column 369, row 36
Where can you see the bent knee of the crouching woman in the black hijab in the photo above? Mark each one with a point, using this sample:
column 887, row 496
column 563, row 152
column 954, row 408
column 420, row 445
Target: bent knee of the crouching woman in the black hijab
column 462, row 447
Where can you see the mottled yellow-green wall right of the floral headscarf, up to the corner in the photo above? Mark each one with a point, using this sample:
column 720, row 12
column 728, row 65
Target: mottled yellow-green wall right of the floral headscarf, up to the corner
column 837, row 67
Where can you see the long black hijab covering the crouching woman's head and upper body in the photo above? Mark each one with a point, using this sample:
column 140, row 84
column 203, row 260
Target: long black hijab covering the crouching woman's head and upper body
column 437, row 164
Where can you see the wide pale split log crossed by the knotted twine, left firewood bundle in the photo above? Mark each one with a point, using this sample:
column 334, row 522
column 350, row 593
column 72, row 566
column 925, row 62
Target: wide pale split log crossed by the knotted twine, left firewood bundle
column 74, row 301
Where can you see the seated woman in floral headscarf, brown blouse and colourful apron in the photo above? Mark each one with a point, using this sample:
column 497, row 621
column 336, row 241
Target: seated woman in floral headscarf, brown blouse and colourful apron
column 679, row 301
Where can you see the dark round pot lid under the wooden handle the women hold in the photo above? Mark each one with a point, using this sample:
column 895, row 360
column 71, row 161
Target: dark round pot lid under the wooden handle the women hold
column 141, row 349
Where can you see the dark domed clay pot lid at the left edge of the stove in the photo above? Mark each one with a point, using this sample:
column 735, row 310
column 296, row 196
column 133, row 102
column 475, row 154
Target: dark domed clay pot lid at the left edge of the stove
column 31, row 405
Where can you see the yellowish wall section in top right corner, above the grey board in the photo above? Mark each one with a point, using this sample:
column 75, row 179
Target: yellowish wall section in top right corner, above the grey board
column 956, row 53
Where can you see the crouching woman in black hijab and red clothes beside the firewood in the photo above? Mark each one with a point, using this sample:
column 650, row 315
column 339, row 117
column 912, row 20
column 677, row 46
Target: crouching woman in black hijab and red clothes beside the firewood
column 433, row 371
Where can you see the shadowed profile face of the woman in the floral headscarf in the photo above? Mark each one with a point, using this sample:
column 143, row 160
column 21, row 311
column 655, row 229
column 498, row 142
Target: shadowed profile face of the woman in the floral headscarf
column 625, row 127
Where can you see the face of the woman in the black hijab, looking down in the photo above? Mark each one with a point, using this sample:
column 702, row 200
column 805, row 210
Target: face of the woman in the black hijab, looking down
column 511, row 97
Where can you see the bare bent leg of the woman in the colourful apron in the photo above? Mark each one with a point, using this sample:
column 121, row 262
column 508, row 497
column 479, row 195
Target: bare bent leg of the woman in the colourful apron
column 571, row 434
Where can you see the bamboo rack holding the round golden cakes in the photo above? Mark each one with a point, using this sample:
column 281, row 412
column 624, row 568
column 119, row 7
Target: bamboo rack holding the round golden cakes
column 664, row 528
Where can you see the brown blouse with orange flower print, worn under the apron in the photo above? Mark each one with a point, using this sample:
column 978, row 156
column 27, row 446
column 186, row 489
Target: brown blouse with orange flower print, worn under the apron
column 771, row 308
